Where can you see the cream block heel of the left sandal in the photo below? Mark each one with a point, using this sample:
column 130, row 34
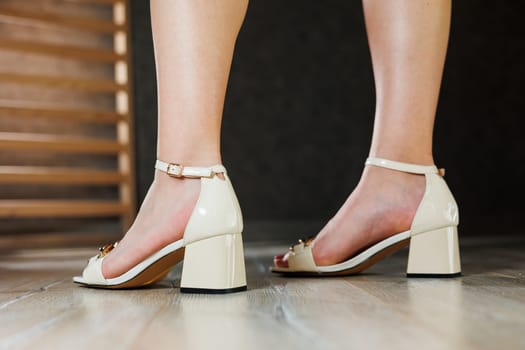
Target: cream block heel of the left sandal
column 214, row 266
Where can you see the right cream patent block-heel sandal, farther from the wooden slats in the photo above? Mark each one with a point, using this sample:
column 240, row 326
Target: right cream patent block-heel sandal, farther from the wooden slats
column 433, row 237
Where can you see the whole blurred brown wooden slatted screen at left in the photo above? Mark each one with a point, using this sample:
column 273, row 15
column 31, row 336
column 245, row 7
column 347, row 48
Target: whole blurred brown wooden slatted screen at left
column 66, row 162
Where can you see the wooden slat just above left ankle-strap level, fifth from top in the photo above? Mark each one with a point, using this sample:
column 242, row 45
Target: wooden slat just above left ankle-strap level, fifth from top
column 26, row 141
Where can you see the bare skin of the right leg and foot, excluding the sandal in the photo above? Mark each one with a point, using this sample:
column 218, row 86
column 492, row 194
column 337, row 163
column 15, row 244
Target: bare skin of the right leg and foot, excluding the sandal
column 408, row 41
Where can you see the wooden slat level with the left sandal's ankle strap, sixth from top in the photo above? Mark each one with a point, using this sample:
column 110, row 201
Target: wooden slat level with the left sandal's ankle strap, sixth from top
column 61, row 176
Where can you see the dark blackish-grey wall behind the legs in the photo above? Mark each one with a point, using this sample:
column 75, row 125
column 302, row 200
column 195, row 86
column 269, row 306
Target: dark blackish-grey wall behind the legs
column 301, row 97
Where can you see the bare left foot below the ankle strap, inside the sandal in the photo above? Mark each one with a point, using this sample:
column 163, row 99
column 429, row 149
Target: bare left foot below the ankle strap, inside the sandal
column 161, row 220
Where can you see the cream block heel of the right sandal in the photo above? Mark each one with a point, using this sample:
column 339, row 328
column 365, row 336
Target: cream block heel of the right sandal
column 434, row 254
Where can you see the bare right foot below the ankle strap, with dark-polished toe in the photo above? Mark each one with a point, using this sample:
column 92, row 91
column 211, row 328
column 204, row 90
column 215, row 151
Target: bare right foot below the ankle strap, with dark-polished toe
column 384, row 203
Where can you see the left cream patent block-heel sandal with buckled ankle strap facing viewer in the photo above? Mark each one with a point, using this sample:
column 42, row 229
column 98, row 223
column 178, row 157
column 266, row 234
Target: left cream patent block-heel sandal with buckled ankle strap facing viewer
column 211, row 246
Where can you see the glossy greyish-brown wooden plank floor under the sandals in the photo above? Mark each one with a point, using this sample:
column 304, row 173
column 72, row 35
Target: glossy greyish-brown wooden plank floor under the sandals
column 40, row 308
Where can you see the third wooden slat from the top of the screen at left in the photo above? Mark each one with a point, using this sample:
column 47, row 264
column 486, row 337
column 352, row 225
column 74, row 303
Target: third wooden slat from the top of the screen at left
column 64, row 83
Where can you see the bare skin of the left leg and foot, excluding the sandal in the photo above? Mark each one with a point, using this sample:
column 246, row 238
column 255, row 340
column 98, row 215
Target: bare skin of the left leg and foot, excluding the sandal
column 194, row 42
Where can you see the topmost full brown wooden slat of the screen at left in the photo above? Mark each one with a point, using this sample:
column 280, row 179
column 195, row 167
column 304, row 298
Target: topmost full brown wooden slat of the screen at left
column 61, row 20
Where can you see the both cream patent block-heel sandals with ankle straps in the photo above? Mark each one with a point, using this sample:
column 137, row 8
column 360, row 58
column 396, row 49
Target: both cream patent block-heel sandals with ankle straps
column 212, row 247
